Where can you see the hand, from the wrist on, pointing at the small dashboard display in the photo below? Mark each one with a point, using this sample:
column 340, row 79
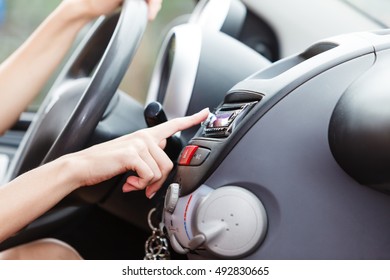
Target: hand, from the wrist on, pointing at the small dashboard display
column 141, row 151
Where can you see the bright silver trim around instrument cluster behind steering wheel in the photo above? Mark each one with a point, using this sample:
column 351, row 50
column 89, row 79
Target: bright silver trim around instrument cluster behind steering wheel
column 208, row 14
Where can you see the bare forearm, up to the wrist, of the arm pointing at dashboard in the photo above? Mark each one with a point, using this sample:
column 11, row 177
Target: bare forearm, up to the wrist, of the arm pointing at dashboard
column 33, row 193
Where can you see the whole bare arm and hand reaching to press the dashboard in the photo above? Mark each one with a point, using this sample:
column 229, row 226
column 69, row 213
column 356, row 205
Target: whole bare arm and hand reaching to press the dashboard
column 33, row 193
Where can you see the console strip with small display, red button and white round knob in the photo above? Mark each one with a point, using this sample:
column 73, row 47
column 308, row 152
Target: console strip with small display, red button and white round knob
column 205, row 218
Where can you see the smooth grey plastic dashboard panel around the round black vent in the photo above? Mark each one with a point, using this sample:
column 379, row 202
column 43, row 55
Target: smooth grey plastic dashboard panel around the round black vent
column 281, row 154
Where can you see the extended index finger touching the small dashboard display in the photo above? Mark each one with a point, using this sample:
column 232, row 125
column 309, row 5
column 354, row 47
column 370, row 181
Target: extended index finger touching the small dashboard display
column 167, row 129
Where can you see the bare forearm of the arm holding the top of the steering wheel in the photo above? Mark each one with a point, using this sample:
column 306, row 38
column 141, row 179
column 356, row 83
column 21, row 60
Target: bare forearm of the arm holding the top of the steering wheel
column 23, row 74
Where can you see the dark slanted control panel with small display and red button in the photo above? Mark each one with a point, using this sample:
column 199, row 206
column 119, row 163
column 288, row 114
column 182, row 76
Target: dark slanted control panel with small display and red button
column 214, row 140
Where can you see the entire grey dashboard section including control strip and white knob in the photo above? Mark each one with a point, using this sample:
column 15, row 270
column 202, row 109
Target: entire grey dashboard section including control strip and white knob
column 262, row 178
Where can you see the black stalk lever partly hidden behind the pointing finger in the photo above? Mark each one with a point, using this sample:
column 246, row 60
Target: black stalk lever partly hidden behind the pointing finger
column 154, row 115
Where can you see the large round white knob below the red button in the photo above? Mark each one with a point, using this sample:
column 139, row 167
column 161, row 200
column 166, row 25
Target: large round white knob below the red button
column 233, row 221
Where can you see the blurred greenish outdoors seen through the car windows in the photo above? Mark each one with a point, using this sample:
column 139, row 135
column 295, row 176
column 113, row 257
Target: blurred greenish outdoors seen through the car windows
column 18, row 19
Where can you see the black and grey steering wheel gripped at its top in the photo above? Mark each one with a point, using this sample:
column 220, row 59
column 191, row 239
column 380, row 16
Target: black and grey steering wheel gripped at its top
column 65, row 121
